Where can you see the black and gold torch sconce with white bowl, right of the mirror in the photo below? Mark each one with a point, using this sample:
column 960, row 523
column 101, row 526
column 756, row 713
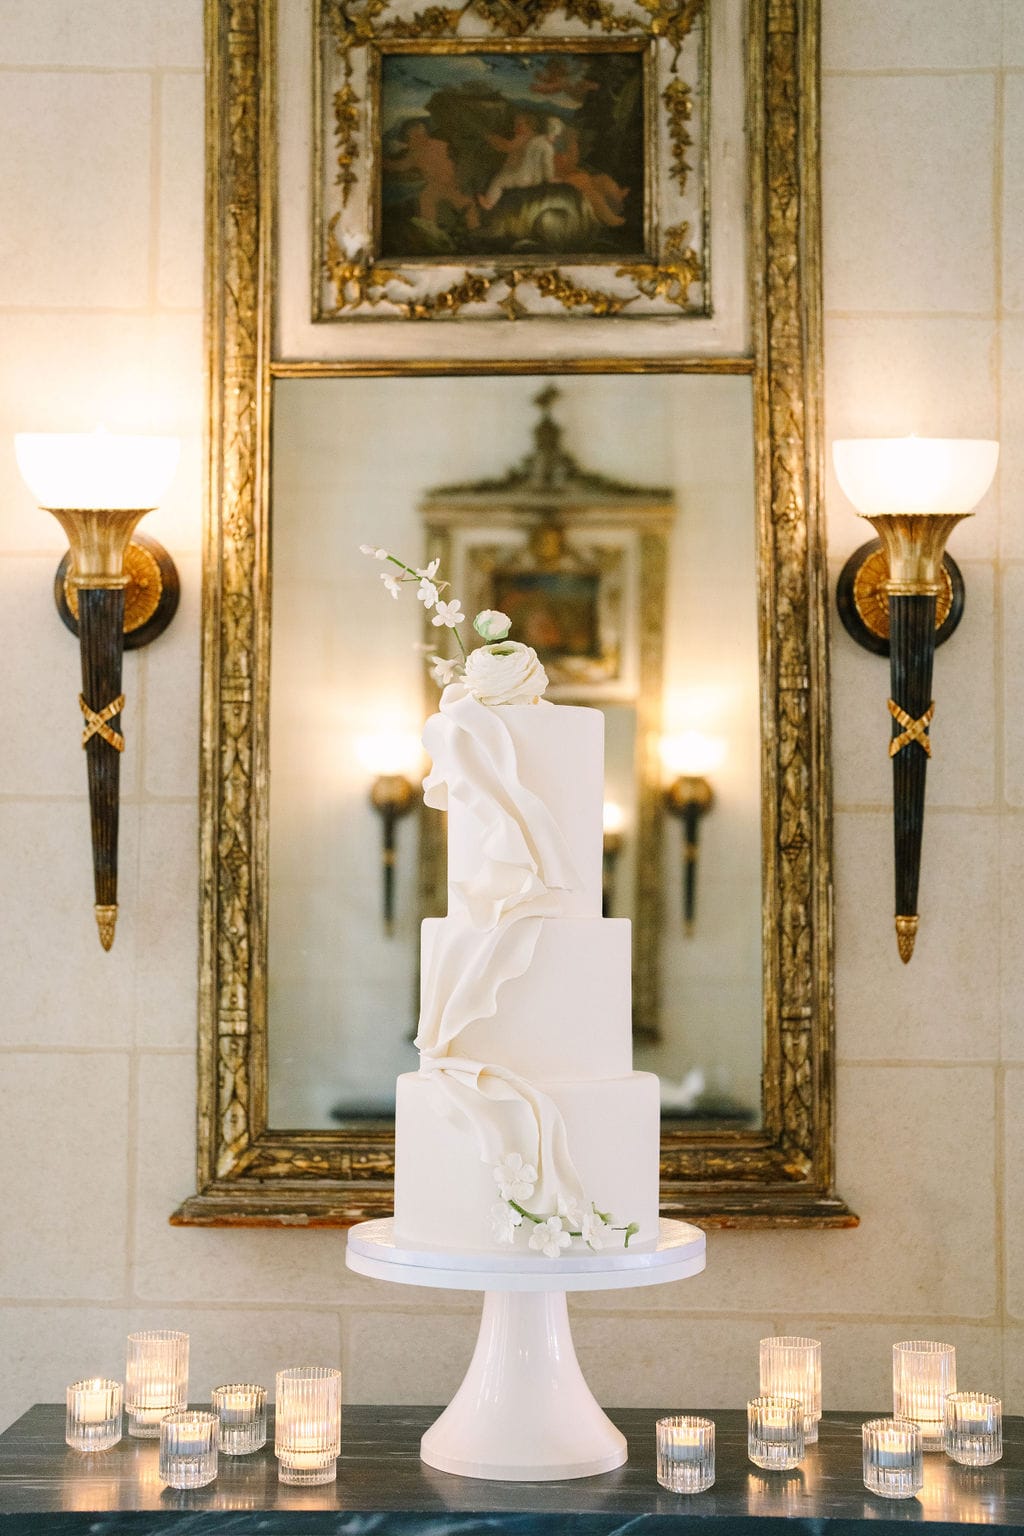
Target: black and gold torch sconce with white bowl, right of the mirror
column 914, row 492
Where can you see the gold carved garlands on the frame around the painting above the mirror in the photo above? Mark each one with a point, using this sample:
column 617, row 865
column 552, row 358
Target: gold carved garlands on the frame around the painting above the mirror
column 358, row 283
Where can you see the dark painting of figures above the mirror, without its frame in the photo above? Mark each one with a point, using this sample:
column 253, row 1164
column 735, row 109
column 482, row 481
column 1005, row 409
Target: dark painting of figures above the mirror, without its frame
column 520, row 154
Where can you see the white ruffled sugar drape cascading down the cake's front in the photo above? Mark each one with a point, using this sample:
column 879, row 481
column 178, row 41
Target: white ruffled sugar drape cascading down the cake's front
column 506, row 893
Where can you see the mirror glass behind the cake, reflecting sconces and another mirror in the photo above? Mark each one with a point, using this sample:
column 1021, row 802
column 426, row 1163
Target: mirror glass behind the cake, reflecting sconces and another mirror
column 633, row 572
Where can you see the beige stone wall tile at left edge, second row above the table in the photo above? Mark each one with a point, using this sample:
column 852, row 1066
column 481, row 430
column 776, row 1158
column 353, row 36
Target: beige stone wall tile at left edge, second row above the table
column 71, row 1111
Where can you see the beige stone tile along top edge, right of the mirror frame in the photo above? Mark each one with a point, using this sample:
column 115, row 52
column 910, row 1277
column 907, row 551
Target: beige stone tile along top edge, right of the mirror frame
column 911, row 35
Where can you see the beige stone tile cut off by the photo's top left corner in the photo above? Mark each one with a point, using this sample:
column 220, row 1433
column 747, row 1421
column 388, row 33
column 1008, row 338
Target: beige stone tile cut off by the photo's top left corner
column 104, row 35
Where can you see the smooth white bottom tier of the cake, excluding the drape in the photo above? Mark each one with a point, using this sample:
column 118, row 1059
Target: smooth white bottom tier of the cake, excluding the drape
column 444, row 1193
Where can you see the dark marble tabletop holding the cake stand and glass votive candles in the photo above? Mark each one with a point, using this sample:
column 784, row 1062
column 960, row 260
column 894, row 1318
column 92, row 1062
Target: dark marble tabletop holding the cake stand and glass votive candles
column 383, row 1489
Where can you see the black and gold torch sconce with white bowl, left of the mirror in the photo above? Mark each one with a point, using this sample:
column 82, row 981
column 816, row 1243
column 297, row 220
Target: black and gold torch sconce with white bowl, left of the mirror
column 99, row 486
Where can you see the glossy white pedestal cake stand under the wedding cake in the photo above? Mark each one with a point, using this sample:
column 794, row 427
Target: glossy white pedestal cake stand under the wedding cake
column 524, row 1412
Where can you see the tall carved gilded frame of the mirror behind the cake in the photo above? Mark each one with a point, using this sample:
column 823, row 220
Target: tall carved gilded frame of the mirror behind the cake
column 781, row 1174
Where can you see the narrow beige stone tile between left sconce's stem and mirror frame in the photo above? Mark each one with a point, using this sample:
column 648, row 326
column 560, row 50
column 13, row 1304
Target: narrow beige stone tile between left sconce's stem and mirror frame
column 171, row 726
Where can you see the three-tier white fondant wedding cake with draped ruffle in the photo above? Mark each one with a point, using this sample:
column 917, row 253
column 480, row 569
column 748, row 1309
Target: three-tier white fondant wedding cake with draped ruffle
column 526, row 1022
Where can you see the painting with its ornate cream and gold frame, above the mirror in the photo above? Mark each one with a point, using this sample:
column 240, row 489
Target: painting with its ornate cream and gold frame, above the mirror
column 512, row 161
